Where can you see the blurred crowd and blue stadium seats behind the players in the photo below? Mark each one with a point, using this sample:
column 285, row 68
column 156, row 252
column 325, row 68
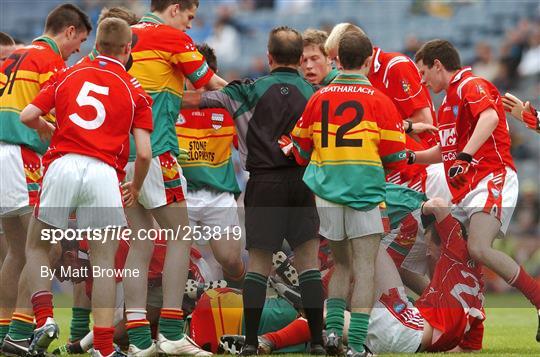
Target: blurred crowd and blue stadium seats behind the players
column 499, row 39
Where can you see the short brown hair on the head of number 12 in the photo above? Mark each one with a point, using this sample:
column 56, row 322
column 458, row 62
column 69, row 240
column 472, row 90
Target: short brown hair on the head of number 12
column 354, row 48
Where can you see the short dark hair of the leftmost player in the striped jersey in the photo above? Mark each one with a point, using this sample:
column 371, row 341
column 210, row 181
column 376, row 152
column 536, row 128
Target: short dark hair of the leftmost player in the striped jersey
column 67, row 15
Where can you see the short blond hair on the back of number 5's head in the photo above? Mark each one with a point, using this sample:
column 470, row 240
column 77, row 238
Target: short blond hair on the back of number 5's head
column 113, row 35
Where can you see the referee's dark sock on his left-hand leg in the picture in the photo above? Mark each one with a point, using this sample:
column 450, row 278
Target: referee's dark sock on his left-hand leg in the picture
column 253, row 296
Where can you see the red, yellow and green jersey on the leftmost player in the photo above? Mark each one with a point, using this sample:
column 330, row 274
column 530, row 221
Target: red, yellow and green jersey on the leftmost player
column 22, row 76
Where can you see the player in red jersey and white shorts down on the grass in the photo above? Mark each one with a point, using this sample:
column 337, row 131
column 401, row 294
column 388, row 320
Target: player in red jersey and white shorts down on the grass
column 447, row 317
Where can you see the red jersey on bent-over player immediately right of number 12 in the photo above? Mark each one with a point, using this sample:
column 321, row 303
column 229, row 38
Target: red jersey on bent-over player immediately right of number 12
column 396, row 75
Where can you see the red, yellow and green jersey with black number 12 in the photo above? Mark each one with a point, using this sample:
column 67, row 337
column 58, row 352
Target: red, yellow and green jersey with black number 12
column 356, row 132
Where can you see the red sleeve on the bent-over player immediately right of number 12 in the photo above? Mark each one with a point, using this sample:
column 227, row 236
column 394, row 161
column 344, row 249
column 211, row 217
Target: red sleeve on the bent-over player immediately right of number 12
column 405, row 88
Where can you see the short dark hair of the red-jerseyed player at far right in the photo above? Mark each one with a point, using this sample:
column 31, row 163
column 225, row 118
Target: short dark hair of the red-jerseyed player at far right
column 441, row 50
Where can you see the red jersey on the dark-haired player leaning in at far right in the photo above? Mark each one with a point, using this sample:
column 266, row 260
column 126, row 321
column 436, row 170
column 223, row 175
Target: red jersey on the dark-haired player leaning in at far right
column 466, row 98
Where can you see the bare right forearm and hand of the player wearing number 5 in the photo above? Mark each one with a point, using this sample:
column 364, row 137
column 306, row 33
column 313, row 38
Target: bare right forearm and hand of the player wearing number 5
column 130, row 190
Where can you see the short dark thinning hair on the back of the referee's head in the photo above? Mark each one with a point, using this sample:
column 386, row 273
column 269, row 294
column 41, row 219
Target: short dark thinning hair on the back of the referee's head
column 285, row 45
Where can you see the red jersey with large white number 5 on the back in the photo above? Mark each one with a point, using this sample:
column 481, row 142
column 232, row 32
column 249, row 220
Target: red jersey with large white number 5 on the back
column 97, row 105
